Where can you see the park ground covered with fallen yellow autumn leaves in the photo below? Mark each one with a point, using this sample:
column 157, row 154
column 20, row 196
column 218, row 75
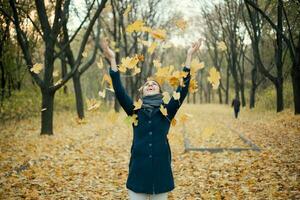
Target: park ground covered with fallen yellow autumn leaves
column 90, row 160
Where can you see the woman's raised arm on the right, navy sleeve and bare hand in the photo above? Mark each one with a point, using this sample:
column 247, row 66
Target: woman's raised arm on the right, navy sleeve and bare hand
column 173, row 104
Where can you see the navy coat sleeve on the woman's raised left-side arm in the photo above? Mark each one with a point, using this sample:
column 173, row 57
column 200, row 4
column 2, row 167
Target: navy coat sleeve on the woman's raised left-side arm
column 120, row 93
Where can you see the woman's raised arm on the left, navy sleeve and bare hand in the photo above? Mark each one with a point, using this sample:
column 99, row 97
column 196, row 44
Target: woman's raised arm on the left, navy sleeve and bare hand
column 120, row 93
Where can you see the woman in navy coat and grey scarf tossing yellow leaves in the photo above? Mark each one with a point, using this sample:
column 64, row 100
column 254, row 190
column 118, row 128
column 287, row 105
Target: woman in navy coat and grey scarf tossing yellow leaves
column 150, row 172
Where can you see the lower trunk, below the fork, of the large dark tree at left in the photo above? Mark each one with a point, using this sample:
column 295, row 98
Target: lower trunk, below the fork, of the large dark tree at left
column 47, row 111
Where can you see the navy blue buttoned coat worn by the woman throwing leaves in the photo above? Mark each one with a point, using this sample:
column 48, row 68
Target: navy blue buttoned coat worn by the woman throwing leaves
column 150, row 162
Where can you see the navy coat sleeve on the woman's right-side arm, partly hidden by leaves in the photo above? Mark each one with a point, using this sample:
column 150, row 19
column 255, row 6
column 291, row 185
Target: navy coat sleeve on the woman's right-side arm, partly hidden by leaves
column 173, row 104
